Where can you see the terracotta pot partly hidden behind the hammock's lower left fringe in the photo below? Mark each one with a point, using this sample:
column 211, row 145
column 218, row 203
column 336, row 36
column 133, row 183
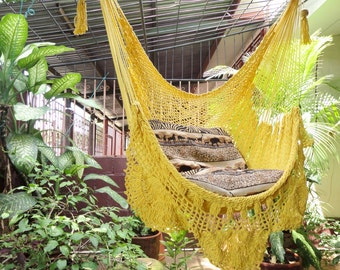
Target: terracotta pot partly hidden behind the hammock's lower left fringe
column 150, row 244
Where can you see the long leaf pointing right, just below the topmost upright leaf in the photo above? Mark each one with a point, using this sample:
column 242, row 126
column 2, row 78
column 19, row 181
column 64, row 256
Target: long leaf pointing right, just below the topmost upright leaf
column 42, row 52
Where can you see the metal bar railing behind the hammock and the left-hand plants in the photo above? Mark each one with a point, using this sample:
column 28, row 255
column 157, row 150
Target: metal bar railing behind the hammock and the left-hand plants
column 98, row 135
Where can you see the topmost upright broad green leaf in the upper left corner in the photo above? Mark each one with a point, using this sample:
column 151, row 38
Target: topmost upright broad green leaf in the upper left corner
column 13, row 35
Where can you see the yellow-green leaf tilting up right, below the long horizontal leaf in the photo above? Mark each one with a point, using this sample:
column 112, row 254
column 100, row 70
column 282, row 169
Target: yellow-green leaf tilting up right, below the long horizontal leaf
column 60, row 85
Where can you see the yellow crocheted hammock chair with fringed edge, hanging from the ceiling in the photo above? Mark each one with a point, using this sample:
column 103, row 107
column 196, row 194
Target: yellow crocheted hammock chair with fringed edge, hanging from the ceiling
column 232, row 231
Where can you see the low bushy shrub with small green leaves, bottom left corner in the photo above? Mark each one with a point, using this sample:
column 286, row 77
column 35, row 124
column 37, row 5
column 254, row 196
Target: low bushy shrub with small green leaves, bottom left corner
column 65, row 229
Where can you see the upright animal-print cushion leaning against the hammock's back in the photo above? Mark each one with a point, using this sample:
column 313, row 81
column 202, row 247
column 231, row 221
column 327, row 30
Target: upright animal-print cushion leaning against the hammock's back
column 190, row 147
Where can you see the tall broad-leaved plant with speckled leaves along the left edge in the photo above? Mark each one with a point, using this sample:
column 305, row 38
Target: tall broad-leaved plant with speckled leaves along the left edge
column 23, row 80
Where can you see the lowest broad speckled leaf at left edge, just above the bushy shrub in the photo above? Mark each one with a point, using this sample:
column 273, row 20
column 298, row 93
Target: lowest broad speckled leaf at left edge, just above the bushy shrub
column 13, row 204
